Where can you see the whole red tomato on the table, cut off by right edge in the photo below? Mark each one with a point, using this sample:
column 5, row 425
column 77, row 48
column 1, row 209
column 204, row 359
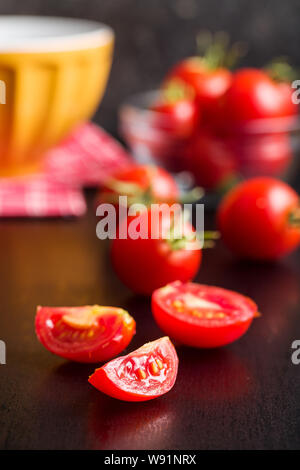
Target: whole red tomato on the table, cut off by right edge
column 259, row 219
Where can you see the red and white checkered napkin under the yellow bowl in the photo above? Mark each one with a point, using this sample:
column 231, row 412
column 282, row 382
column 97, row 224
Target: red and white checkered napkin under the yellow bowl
column 85, row 158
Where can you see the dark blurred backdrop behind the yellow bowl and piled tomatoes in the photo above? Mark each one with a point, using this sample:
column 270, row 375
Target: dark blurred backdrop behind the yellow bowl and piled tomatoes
column 153, row 34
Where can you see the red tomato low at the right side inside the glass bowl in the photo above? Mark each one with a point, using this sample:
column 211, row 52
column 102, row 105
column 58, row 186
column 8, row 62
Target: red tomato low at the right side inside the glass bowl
column 263, row 155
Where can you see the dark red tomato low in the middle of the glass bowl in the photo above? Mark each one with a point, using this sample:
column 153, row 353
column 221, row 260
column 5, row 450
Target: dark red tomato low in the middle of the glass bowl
column 210, row 160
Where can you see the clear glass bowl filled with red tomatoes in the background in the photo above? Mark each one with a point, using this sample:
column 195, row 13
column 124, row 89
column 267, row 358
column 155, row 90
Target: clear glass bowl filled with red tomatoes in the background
column 213, row 160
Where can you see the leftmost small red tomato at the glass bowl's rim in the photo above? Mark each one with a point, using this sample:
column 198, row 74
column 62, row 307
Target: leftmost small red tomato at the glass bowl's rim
column 180, row 117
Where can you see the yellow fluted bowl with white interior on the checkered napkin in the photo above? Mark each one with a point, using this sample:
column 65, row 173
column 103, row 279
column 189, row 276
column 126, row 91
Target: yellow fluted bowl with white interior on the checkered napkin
column 53, row 73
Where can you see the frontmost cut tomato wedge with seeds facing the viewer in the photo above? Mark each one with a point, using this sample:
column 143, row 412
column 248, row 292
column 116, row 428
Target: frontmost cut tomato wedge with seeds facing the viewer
column 146, row 373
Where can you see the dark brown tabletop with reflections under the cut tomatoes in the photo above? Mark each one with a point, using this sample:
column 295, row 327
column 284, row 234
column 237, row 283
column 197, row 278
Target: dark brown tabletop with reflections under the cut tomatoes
column 244, row 396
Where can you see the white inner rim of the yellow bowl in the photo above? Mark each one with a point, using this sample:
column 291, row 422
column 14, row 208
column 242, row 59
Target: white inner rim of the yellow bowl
column 80, row 34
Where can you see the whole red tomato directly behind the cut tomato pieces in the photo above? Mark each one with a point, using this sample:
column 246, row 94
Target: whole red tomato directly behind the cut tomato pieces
column 146, row 264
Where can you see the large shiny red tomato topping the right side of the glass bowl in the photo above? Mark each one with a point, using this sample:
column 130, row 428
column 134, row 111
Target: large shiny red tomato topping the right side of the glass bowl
column 254, row 95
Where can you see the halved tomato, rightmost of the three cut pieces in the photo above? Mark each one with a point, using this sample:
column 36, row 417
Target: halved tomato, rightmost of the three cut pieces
column 202, row 316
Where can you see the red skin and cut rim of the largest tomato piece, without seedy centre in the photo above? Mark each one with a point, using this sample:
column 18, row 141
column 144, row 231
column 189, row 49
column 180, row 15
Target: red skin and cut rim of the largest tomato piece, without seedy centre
column 198, row 332
